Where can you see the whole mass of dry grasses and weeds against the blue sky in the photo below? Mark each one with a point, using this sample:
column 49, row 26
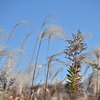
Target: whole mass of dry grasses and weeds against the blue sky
column 18, row 83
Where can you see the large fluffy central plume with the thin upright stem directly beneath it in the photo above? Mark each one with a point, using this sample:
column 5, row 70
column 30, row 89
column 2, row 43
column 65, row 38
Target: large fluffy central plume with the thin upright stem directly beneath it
column 52, row 31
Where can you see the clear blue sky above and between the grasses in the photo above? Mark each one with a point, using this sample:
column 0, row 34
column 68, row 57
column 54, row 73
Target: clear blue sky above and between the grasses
column 72, row 15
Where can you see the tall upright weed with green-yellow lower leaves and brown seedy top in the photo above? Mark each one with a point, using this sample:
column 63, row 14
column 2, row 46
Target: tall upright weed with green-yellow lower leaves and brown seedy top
column 73, row 51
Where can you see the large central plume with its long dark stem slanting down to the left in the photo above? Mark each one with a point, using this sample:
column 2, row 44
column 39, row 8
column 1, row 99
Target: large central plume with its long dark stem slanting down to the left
column 51, row 31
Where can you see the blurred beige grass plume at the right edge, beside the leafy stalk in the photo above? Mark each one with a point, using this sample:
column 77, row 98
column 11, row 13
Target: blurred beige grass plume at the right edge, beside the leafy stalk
column 93, row 60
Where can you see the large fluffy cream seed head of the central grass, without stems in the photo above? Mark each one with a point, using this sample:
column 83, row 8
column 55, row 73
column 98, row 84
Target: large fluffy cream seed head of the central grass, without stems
column 54, row 31
